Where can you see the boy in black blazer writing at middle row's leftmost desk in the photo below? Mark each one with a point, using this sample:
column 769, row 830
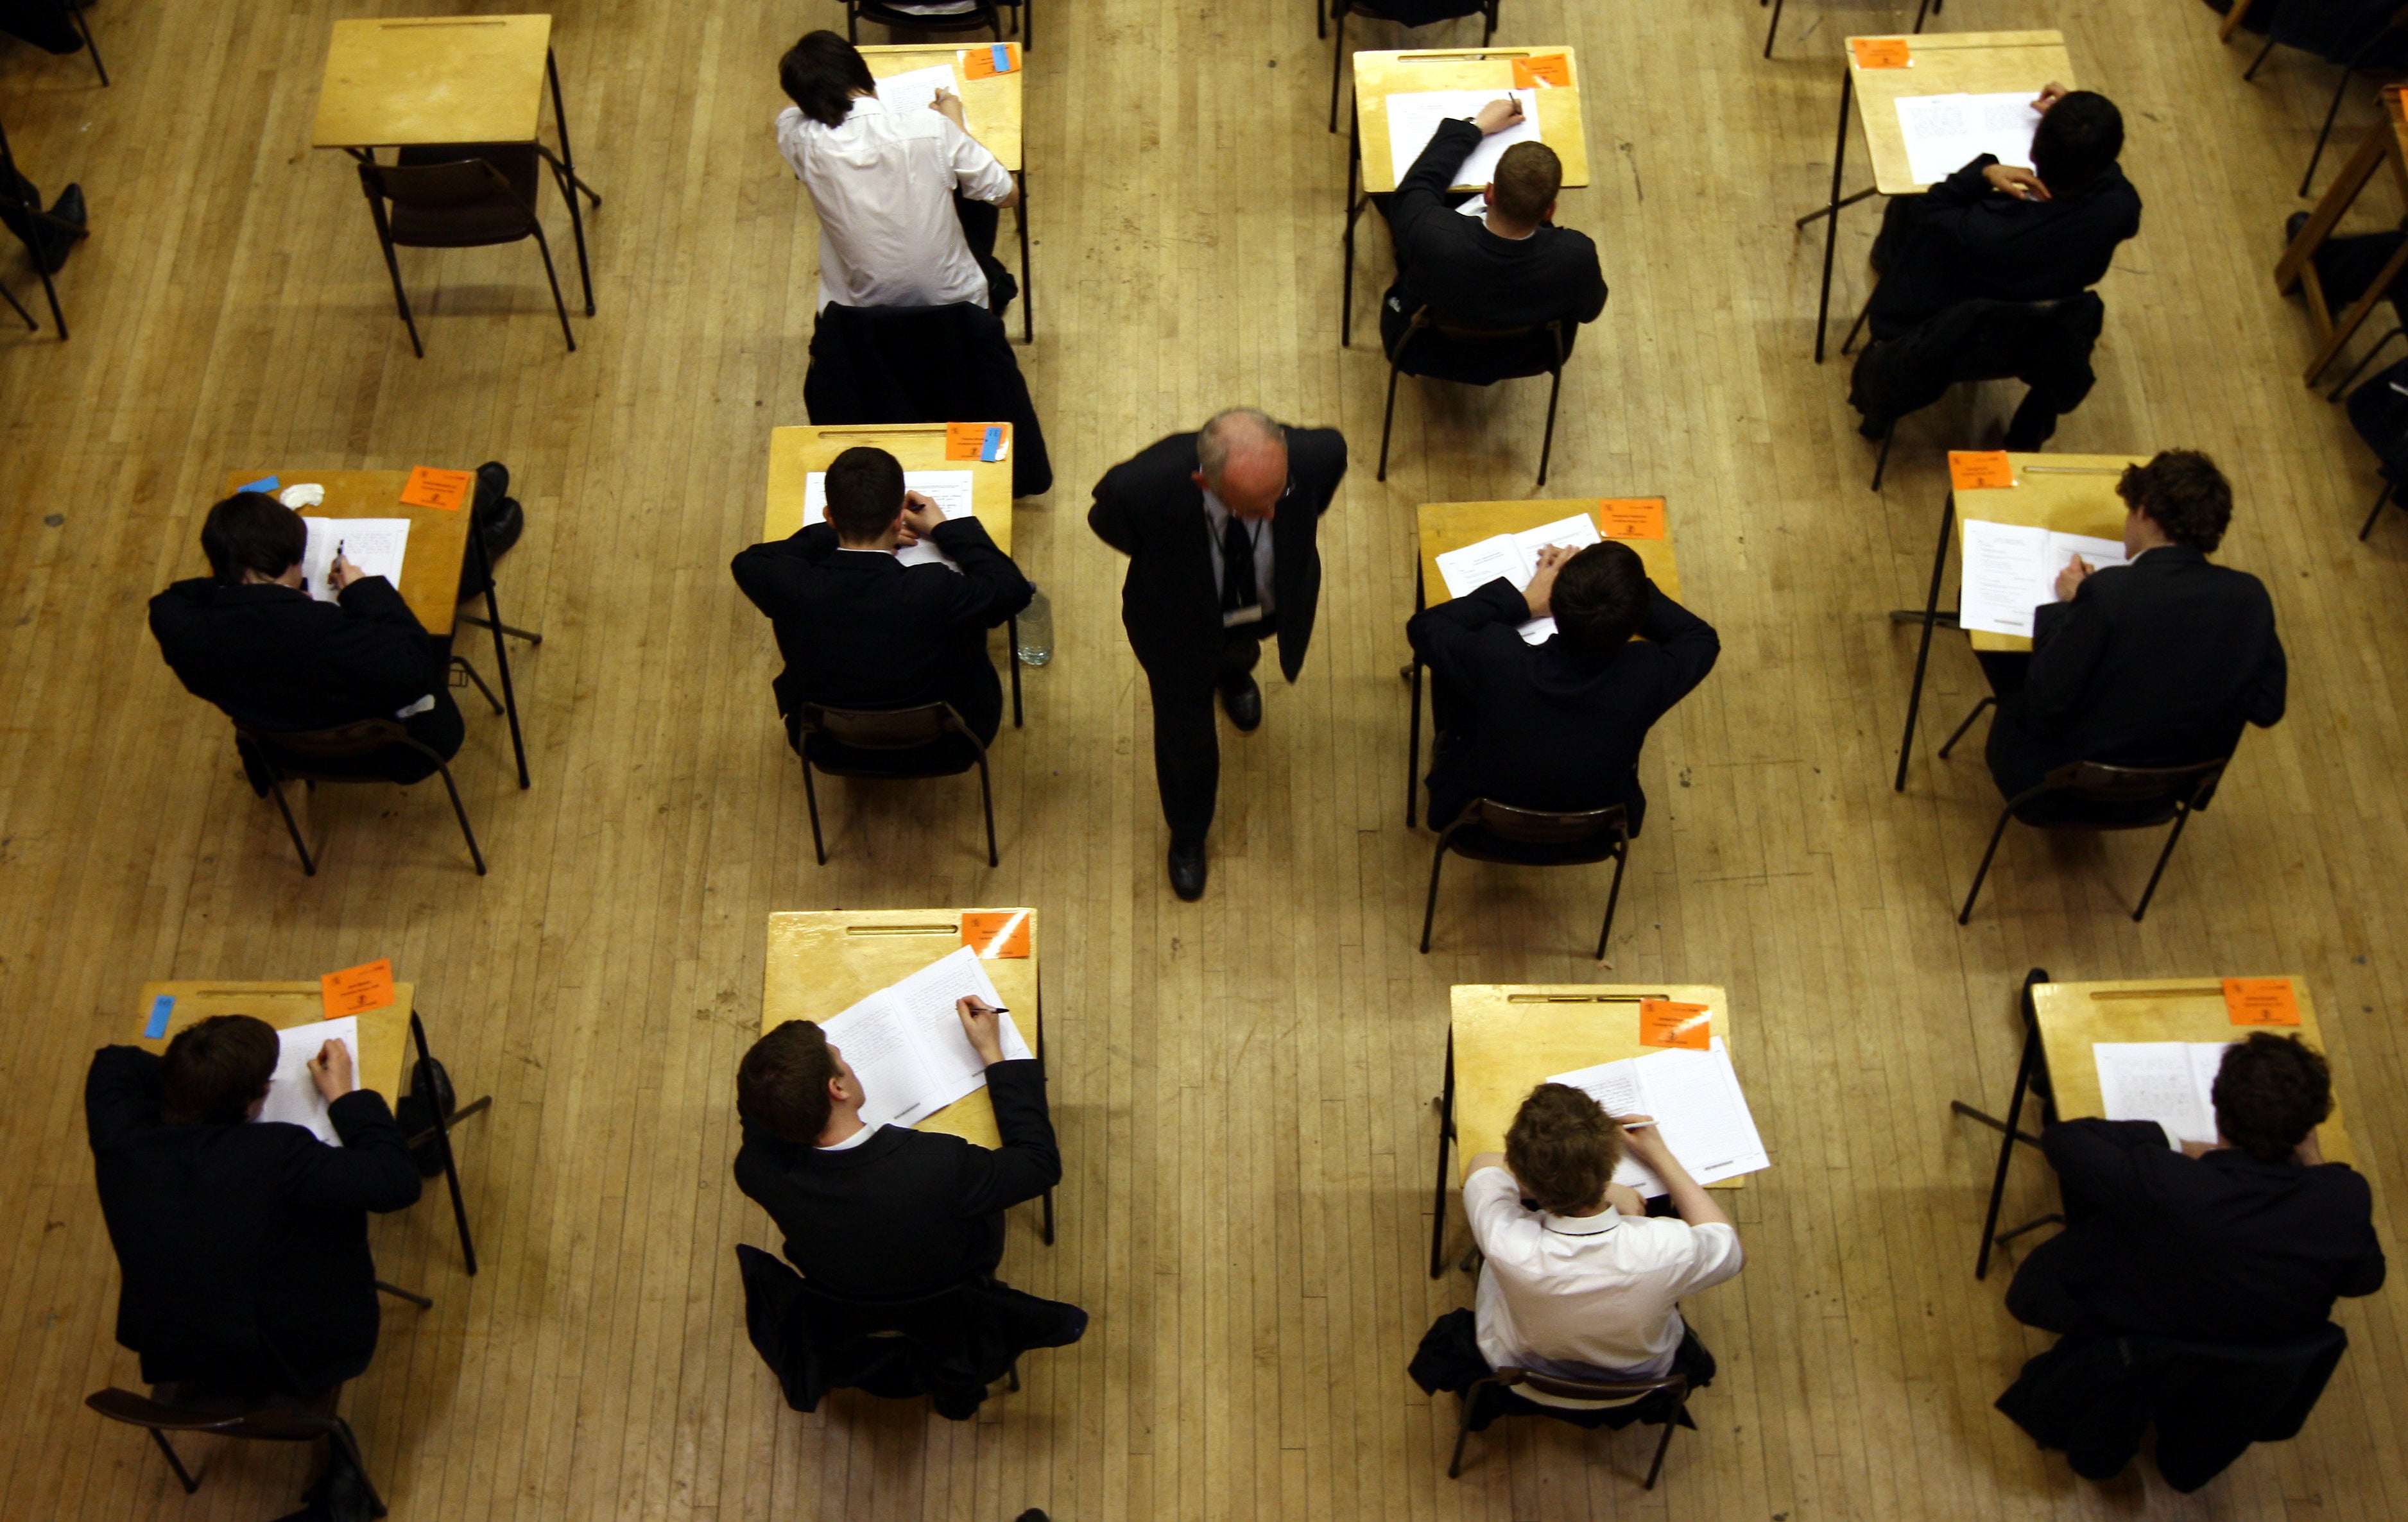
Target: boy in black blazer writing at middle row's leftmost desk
column 271, row 656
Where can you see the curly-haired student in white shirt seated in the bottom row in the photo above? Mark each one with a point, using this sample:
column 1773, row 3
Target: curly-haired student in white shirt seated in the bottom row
column 1578, row 1278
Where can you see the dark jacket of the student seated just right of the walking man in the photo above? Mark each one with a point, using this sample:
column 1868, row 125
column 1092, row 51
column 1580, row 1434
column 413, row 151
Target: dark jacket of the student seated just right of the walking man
column 1554, row 728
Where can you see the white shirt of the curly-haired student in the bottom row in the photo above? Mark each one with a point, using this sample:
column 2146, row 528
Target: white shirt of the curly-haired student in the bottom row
column 1586, row 1297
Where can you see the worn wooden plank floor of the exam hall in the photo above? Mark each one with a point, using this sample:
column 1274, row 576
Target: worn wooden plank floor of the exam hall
column 1244, row 1085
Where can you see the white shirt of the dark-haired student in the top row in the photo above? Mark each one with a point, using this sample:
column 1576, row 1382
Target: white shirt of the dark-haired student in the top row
column 885, row 187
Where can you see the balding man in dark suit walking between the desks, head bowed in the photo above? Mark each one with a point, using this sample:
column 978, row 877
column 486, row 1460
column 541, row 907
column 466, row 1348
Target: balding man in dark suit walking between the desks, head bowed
column 1220, row 531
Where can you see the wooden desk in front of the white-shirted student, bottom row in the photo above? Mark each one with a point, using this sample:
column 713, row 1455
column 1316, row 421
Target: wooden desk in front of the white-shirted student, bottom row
column 1509, row 1039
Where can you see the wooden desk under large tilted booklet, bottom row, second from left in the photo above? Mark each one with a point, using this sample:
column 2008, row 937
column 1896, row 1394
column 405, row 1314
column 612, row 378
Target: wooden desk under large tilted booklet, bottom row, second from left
column 827, row 962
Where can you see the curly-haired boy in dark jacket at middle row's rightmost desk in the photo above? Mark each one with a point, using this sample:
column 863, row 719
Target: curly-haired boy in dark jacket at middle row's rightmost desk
column 2154, row 663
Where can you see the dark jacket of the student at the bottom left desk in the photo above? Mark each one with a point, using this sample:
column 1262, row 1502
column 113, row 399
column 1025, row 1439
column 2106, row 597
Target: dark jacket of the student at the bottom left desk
column 244, row 1249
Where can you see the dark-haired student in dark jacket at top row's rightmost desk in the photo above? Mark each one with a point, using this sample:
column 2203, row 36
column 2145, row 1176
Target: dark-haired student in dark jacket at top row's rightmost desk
column 2012, row 235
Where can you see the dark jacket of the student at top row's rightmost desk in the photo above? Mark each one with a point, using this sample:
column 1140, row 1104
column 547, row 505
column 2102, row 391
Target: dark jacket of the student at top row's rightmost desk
column 1969, row 242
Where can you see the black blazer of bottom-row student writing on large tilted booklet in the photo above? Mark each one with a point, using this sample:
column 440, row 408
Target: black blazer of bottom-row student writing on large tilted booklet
column 907, row 1213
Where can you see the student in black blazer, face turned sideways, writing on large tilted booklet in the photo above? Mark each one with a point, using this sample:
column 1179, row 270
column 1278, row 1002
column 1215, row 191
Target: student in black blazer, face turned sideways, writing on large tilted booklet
column 887, row 1213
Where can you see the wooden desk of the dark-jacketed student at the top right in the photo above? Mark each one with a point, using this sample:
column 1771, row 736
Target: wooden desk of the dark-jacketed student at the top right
column 1944, row 64
